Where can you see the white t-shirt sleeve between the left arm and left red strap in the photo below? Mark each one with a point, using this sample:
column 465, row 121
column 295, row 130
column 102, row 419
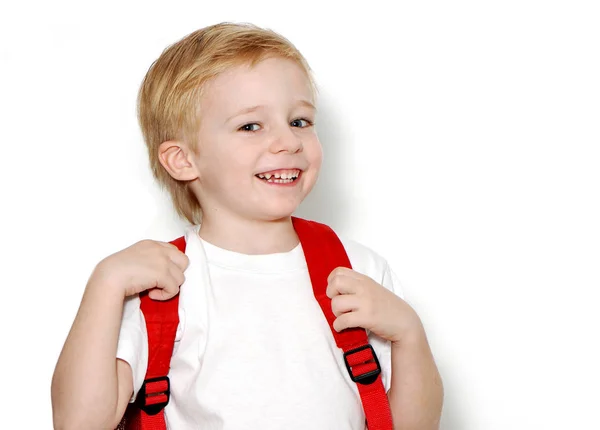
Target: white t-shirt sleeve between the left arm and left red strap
column 133, row 341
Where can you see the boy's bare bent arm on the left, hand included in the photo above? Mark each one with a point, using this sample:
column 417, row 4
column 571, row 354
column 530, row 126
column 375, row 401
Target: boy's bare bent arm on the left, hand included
column 90, row 387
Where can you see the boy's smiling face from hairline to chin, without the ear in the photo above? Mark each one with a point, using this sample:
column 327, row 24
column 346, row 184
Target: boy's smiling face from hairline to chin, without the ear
column 257, row 123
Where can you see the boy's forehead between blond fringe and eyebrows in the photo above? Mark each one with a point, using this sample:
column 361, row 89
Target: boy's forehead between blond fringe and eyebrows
column 271, row 82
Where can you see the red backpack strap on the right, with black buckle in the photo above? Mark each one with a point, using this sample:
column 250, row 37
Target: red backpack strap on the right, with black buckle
column 324, row 252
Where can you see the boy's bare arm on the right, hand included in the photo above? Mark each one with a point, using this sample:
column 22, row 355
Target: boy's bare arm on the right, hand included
column 416, row 389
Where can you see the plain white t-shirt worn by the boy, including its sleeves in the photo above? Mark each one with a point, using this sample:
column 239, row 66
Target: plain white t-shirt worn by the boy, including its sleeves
column 253, row 349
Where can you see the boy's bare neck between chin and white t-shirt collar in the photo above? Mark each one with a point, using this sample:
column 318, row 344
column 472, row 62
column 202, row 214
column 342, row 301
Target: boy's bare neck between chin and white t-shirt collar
column 249, row 236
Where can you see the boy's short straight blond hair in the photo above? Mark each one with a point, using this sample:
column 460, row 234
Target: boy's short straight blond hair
column 169, row 97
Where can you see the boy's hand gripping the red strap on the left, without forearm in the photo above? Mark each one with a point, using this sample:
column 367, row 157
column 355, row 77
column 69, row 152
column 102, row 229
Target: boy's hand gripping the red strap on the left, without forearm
column 146, row 265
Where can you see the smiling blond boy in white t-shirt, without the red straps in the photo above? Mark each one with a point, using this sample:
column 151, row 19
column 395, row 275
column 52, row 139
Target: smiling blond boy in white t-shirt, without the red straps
column 228, row 116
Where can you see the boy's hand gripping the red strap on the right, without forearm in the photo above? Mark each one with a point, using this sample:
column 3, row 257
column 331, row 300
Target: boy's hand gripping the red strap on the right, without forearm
column 359, row 301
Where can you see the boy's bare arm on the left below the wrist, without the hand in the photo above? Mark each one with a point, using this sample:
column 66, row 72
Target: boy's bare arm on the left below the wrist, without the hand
column 90, row 387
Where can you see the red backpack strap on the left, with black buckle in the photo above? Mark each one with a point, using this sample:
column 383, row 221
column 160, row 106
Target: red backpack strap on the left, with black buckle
column 162, row 319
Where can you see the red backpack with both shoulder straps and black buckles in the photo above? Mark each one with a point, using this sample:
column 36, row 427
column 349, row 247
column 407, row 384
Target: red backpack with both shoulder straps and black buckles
column 323, row 252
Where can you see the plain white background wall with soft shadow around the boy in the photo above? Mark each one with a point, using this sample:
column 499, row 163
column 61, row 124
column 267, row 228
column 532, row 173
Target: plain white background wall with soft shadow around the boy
column 462, row 142
